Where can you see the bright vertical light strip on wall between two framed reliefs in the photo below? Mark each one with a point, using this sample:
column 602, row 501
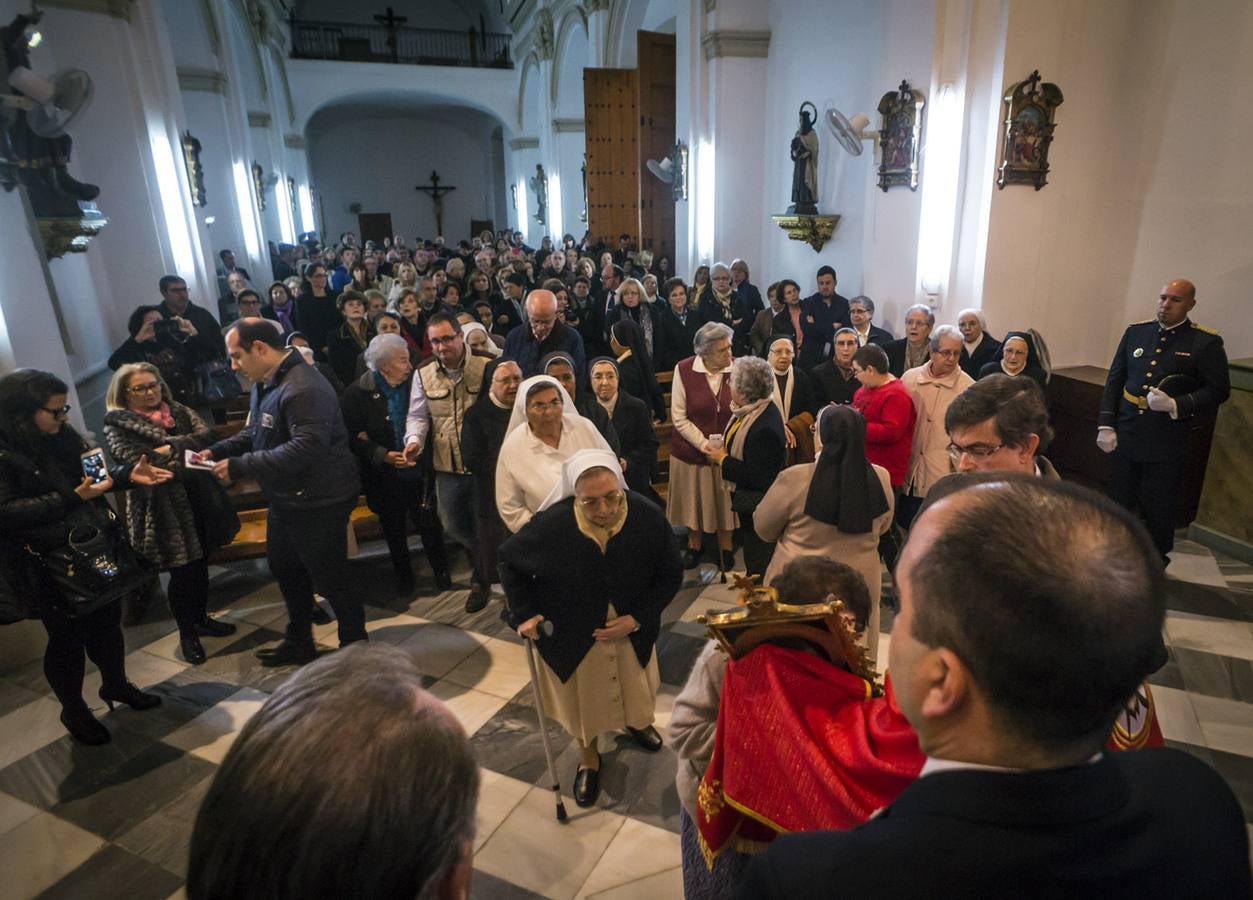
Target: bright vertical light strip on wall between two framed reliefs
column 938, row 219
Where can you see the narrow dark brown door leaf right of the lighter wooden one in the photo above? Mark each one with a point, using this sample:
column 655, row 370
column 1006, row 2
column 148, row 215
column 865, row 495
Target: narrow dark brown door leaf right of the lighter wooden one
column 656, row 82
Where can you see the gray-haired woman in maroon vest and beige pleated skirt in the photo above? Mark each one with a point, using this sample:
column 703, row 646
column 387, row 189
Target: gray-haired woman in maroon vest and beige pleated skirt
column 701, row 412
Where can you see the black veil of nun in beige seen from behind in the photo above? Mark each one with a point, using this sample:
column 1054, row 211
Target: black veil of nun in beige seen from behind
column 845, row 492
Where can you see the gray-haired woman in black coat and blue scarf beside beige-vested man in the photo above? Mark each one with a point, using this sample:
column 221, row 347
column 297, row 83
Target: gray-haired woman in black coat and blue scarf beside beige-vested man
column 375, row 408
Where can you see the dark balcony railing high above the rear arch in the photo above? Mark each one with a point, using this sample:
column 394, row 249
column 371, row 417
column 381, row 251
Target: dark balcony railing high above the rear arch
column 350, row 43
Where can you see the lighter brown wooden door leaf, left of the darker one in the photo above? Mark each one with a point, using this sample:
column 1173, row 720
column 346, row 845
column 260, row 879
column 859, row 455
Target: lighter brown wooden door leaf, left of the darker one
column 612, row 135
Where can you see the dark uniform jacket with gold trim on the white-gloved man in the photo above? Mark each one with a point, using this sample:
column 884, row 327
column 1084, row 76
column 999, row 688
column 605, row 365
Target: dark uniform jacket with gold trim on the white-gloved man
column 1147, row 355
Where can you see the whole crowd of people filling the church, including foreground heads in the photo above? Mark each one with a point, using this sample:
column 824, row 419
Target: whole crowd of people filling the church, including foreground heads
column 512, row 402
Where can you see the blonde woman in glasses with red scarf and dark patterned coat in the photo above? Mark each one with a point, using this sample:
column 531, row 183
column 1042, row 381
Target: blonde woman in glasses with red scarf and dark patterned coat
column 177, row 525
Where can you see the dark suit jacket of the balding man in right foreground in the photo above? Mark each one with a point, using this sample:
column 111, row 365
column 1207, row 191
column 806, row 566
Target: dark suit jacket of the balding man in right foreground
column 1140, row 824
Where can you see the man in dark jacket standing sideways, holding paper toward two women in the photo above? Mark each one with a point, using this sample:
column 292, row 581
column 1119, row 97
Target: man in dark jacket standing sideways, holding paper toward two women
column 296, row 447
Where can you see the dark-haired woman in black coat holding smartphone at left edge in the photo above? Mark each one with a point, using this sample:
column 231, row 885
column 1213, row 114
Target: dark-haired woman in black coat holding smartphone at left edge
column 42, row 484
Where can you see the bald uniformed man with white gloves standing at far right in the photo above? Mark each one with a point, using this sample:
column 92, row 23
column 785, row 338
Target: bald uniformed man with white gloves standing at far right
column 1165, row 373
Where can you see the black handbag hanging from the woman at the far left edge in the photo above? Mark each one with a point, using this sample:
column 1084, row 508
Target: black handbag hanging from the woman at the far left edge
column 96, row 567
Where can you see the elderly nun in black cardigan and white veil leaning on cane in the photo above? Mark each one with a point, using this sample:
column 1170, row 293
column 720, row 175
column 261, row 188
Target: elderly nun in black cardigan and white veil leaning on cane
column 600, row 563
